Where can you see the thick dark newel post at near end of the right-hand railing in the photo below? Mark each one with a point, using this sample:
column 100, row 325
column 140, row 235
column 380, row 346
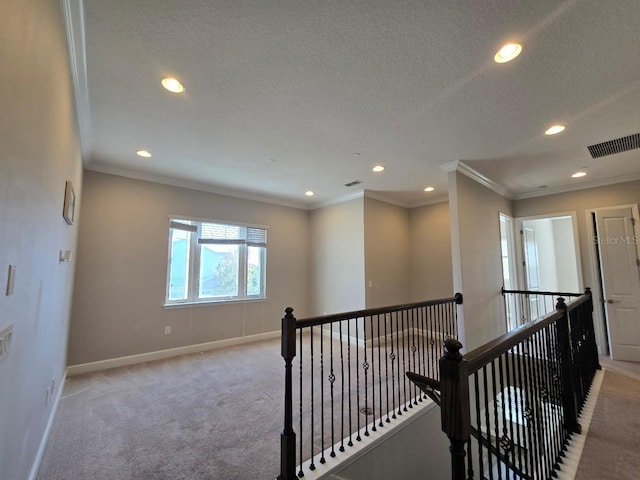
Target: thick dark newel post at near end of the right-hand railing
column 456, row 416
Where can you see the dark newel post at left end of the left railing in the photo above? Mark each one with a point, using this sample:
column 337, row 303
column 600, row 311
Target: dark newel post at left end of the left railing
column 288, row 436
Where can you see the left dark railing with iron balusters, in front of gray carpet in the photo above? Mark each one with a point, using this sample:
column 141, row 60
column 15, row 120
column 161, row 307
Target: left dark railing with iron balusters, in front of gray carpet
column 351, row 375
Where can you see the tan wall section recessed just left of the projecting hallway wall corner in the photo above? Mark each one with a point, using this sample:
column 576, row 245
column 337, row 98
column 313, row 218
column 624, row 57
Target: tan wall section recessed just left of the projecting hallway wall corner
column 430, row 252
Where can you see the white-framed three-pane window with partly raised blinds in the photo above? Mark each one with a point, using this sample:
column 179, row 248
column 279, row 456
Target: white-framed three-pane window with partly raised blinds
column 213, row 262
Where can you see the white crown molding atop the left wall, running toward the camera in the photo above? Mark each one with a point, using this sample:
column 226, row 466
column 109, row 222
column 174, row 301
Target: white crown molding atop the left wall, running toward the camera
column 73, row 15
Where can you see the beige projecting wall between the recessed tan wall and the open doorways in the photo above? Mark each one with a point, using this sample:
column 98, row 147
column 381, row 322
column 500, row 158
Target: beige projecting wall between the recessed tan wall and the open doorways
column 477, row 264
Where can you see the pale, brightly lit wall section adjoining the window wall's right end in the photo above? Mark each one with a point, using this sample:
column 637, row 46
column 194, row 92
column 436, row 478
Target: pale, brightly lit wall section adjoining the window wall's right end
column 337, row 258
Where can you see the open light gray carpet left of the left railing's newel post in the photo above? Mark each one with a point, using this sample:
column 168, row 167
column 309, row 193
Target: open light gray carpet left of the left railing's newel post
column 212, row 416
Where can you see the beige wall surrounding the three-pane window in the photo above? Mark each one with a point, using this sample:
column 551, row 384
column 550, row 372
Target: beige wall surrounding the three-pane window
column 122, row 266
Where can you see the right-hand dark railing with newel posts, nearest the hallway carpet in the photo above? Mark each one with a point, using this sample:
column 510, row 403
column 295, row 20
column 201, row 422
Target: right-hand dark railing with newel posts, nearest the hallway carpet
column 510, row 407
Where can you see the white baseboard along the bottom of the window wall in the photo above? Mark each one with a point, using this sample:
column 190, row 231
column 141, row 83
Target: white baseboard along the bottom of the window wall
column 168, row 353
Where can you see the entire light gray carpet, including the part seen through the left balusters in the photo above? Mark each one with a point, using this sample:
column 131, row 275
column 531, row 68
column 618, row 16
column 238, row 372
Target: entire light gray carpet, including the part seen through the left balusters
column 217, row 415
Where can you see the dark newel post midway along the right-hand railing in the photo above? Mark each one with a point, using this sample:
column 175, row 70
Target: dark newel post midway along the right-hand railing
column 566, row 374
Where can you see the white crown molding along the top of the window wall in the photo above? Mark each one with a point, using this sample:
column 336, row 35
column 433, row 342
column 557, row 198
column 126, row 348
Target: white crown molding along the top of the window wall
column 193, row 185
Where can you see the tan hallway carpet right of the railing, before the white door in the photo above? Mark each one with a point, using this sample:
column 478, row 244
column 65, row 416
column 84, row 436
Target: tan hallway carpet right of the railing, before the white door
column 612, row 447
